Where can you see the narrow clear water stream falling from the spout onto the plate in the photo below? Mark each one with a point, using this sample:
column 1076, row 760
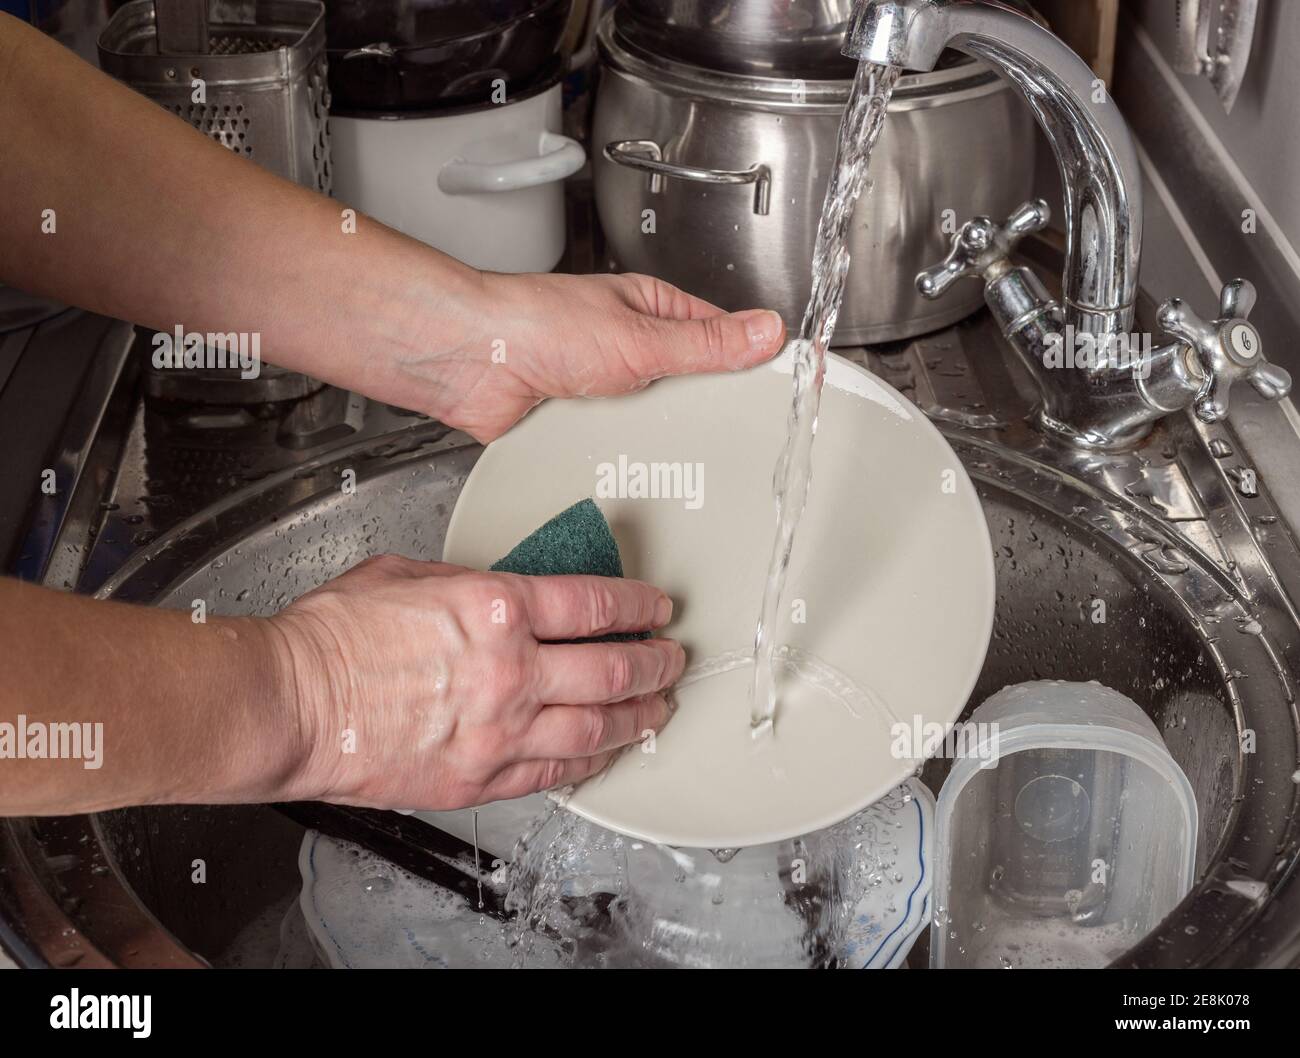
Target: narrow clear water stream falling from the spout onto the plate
column 864, row 119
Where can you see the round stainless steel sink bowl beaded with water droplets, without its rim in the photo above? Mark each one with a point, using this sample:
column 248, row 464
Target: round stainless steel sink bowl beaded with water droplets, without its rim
column 1076, row 602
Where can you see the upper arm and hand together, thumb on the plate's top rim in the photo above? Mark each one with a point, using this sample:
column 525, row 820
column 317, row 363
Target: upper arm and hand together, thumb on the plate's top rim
column 111, row 203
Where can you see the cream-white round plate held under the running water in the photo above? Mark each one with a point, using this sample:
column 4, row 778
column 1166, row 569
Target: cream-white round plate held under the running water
column 891, row 584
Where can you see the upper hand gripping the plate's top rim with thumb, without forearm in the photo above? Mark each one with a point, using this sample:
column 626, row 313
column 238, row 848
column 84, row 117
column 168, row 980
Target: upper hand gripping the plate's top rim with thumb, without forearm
column 538, row 336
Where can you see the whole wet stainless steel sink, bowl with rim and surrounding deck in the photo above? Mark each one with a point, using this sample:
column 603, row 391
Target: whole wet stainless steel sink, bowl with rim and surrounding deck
column 1155, row 573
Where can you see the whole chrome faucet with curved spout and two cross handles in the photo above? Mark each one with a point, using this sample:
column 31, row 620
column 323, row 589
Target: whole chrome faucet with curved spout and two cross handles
column 1102, row 387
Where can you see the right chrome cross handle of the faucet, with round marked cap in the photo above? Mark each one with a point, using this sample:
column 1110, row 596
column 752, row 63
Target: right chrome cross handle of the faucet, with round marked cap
column 1227, row 350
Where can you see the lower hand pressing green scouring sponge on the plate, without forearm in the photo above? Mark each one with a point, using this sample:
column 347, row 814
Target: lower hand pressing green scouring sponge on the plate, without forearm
column 426, row 686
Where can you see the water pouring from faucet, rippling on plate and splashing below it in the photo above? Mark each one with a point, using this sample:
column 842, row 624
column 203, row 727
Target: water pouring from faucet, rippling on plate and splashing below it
column 571, row 883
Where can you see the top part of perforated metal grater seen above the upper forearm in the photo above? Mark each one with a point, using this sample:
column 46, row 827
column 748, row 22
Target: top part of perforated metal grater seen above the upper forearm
column 265, row 80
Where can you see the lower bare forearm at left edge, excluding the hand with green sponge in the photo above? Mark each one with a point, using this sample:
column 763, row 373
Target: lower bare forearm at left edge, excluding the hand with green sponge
column 105, row 705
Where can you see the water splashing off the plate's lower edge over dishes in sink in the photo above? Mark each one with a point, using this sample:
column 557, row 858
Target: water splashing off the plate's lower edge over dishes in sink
column 587, row 897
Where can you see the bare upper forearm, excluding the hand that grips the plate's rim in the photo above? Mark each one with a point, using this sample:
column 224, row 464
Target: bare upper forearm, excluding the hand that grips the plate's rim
column 123, row 209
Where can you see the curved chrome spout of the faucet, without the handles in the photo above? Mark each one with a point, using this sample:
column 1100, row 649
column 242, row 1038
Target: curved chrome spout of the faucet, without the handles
column 1100, row 179
